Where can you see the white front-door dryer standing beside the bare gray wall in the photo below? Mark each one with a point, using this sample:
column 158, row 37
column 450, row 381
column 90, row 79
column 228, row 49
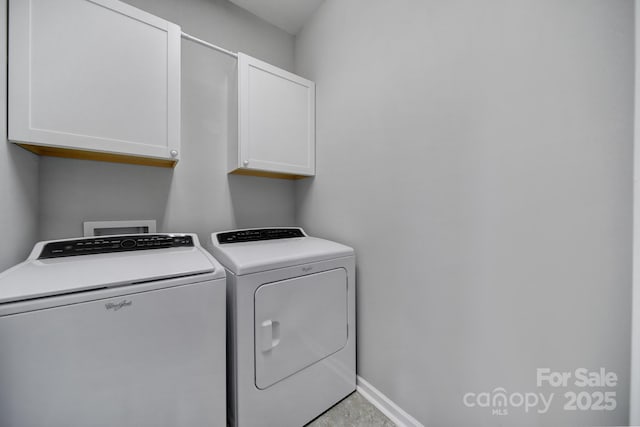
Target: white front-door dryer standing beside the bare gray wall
column 292, row 332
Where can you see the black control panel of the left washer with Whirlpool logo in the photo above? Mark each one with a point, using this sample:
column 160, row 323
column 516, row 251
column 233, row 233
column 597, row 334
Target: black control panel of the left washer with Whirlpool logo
column 120, row 243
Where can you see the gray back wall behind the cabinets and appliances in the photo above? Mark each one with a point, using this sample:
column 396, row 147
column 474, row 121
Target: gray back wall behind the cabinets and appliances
column 196, row 196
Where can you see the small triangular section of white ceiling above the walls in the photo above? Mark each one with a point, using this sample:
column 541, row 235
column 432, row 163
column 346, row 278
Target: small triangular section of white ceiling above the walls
column 289, row 15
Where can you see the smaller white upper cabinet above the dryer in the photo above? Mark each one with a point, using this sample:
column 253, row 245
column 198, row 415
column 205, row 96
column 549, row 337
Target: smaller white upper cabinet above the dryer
column 276, row 122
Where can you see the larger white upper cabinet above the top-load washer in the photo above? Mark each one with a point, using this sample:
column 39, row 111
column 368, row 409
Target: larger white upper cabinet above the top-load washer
column 94, row 79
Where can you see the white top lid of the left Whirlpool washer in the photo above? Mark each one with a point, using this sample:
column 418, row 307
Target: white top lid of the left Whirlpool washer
column 41, row 277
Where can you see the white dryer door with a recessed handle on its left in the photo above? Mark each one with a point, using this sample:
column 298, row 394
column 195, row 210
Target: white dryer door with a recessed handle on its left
column 298, row 322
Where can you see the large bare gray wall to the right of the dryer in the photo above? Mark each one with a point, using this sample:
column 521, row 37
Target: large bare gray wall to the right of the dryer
column 478, row 156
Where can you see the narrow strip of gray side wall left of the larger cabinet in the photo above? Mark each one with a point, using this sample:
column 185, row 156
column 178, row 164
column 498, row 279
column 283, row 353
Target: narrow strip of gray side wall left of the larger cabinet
column 18, row 179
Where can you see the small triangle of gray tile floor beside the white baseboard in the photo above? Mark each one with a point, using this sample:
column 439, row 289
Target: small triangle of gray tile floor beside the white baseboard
column 352, row 411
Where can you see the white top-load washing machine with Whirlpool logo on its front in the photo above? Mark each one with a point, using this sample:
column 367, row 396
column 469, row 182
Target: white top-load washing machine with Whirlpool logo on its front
column 110, row 331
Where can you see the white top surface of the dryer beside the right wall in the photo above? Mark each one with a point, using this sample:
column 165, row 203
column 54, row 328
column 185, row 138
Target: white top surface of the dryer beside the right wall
column 248, row 257
